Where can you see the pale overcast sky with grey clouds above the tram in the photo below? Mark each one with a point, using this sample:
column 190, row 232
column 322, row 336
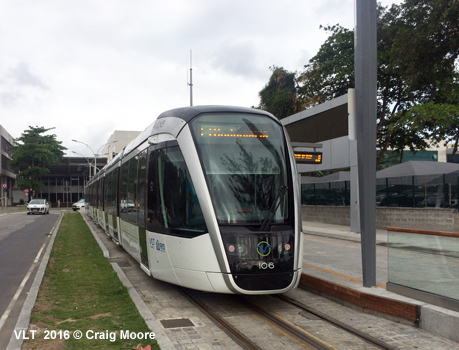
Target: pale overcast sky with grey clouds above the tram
column 89, row 67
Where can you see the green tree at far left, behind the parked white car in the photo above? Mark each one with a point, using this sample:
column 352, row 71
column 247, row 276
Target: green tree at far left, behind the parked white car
column 32, row 154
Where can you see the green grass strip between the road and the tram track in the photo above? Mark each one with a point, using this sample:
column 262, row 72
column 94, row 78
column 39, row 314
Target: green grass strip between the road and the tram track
column 81, row 292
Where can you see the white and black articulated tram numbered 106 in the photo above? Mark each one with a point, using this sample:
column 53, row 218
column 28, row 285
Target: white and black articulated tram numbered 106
column 206, row 198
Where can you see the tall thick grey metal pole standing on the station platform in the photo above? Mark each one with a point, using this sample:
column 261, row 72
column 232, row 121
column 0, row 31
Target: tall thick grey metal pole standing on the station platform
column 365, row 91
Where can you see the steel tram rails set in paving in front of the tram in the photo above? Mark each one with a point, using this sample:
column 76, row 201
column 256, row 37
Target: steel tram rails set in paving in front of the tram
column 282, row 331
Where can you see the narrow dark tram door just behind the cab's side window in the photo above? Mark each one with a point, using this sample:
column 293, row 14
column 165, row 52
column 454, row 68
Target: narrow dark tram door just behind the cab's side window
column 142, row 205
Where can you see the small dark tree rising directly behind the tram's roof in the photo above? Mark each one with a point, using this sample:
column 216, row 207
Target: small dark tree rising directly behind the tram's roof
column 279, row 96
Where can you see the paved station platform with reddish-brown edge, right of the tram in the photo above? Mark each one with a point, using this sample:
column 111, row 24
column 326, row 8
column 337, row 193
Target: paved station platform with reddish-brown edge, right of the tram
column 339, row 277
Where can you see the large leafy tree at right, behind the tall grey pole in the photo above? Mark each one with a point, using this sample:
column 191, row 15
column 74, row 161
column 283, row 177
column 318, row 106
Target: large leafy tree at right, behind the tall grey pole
column 418, row 50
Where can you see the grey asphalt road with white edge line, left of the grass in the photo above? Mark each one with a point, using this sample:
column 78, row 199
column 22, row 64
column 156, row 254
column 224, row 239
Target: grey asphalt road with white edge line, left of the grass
column 23, row 241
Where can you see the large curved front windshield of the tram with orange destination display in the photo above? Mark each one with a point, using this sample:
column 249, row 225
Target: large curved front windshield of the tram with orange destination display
column 243, row 157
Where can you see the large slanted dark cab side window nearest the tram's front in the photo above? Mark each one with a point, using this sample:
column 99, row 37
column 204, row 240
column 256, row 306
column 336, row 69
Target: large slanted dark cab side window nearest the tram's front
column 181, row 213
